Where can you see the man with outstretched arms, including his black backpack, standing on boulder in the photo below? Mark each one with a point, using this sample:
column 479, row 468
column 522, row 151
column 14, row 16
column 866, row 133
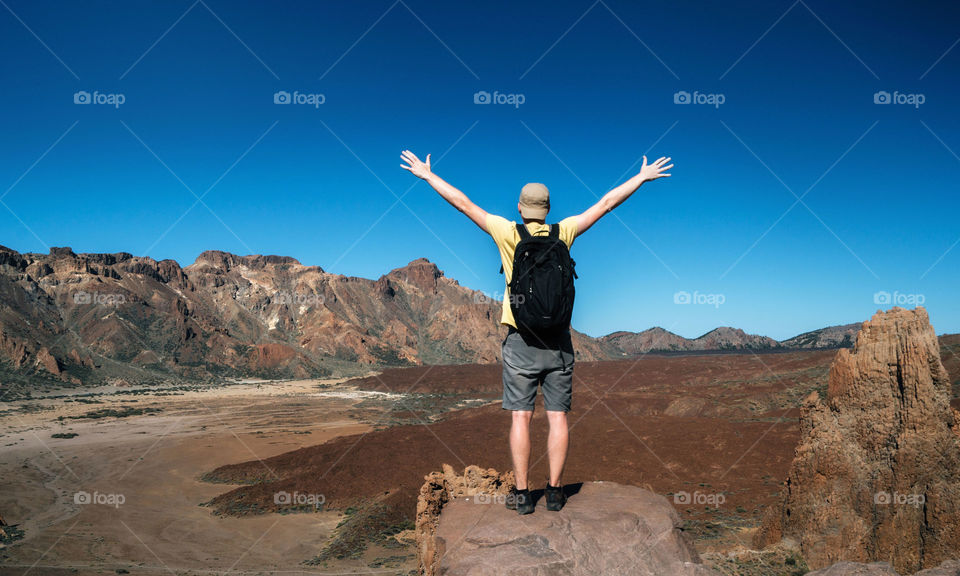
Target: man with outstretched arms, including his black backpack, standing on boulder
column 538, row 300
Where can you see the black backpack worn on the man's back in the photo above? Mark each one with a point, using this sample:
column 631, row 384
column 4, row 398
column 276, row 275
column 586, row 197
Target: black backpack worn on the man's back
column 541, row 289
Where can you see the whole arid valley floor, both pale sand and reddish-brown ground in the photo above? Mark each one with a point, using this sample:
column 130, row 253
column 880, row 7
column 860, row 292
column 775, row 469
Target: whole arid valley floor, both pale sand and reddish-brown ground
column 197, row 468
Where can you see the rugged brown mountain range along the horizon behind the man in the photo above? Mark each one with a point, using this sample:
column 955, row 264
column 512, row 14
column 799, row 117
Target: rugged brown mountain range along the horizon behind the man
column 101, row 318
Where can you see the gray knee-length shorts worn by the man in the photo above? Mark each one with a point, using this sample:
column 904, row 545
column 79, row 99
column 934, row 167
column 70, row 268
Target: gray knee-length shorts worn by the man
column 528, row 362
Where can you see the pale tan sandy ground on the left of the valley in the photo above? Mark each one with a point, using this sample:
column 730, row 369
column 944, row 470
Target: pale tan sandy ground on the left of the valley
column 142, row 474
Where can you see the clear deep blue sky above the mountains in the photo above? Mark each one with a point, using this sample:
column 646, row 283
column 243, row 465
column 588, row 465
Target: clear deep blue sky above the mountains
column 598, row 80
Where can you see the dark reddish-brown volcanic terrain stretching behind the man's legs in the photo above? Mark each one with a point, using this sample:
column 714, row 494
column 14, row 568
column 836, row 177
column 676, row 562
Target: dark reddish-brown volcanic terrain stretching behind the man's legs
column 700, row 424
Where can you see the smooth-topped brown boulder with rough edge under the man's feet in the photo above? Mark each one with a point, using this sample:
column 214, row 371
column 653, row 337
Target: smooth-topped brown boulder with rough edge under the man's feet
column 605, row 528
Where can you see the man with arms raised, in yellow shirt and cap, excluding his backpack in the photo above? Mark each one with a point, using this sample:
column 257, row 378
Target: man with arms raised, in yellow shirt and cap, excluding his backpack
column 529, row 360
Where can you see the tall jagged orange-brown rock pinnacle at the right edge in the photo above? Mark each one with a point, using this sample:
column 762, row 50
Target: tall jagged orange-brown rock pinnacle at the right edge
column 875, row 477
